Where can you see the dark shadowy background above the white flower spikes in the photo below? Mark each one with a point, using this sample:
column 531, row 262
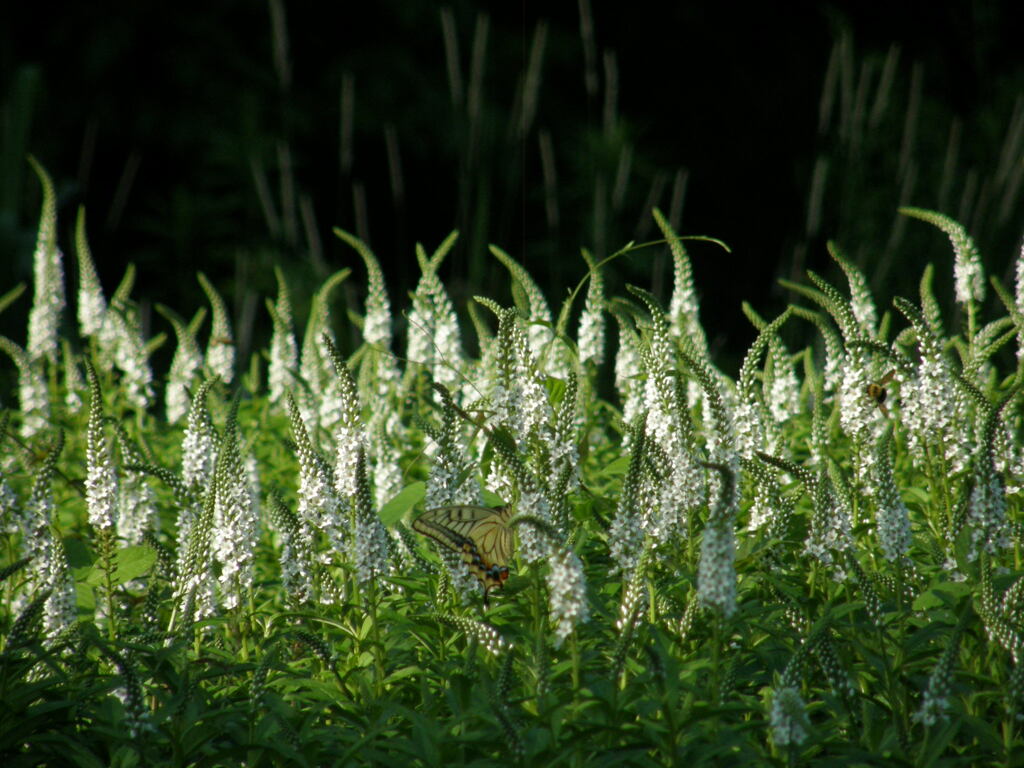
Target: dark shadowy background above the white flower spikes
column 164, row 120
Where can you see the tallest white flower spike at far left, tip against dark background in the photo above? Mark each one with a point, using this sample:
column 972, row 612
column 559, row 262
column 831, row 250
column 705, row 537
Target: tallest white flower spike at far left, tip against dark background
column 50, row 301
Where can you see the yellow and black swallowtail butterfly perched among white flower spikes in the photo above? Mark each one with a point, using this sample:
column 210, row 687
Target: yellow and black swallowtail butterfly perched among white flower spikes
column 480, row 535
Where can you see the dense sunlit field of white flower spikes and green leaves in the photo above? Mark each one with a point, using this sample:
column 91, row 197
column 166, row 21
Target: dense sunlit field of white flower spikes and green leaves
column 819, row 561
